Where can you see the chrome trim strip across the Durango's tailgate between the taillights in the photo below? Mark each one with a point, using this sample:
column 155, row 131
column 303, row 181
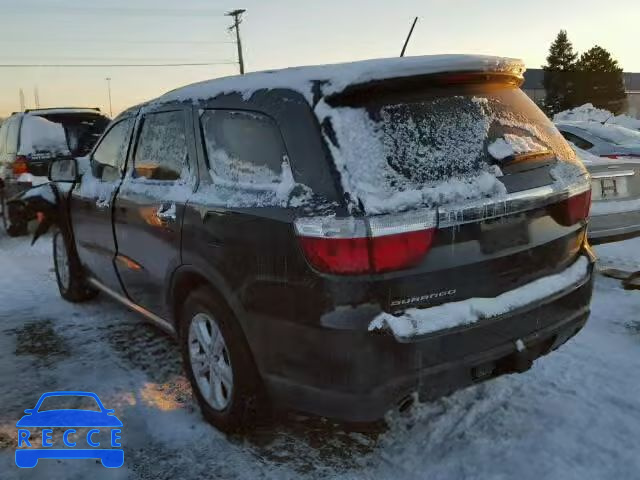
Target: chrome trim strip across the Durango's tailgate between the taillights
column 518, row 202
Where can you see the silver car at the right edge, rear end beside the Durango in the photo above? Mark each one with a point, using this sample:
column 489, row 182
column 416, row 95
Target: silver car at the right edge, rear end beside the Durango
column 615, row 208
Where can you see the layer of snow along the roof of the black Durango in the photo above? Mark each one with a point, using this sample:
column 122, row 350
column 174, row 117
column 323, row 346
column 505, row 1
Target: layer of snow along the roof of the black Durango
column 336, row 77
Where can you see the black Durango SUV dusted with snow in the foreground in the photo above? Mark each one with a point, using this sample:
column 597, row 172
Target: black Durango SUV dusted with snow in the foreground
column 335, row 239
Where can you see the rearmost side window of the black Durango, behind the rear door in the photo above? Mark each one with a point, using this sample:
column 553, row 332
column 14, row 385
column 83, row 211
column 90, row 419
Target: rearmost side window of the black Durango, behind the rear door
column 243, row 148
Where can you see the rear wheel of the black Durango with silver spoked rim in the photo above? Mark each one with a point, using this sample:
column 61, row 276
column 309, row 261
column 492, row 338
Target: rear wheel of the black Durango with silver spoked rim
column 237, row 402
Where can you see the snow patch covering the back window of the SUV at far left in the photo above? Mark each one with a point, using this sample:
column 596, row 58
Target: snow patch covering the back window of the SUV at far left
column 40, row 135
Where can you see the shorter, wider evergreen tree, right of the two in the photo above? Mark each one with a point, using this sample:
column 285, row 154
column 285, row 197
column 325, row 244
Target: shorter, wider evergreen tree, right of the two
column 600, row 81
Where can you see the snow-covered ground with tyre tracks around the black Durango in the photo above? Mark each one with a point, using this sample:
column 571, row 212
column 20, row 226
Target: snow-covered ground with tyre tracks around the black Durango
column 575, row 415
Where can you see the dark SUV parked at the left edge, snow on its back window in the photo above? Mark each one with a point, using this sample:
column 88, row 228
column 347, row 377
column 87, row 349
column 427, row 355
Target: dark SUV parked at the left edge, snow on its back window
column 29, row 140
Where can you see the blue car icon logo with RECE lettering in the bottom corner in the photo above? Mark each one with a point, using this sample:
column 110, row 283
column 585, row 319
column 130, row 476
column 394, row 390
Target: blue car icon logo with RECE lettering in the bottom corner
column 29, row 452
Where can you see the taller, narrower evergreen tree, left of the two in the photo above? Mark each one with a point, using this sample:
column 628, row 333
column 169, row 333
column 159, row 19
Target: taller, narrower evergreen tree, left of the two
column 558, row 75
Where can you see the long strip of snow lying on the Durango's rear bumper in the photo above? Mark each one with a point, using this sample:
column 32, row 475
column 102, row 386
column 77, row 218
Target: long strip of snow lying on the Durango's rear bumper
column 414, row 322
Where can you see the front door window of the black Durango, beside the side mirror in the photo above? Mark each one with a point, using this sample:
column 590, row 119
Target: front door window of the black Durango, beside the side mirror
column 111, row 153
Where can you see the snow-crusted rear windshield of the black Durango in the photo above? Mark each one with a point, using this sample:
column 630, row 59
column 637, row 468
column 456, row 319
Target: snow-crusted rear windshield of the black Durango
column 436, row 146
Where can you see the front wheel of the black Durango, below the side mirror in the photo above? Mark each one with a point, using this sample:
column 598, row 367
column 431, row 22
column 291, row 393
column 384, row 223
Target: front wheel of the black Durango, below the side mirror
column 69, row 274
